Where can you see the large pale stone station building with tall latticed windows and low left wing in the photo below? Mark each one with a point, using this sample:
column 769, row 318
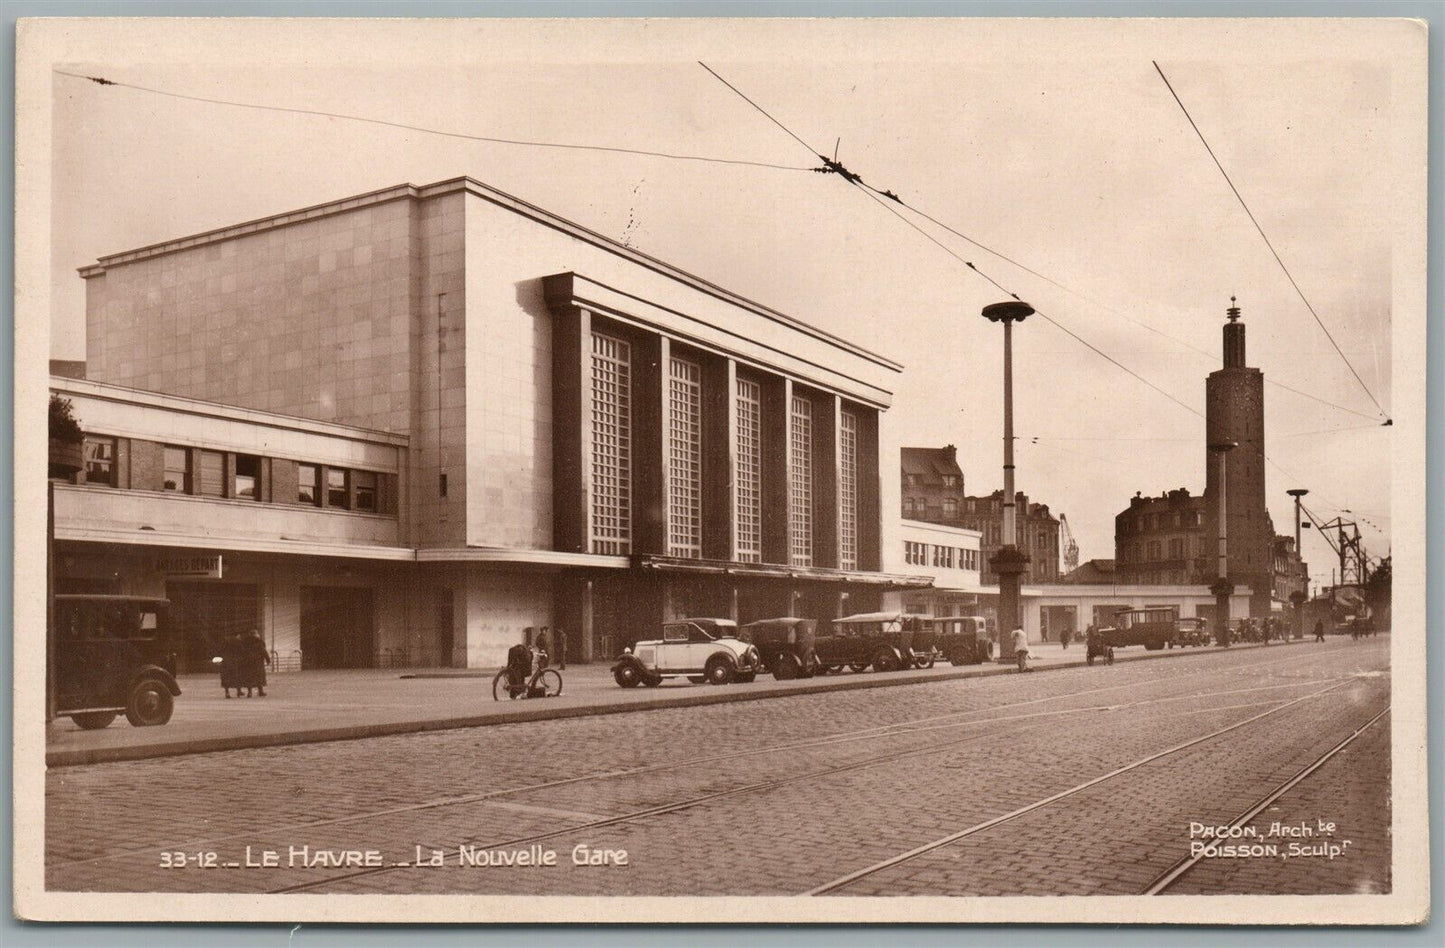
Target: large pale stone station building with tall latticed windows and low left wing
column 415, row 427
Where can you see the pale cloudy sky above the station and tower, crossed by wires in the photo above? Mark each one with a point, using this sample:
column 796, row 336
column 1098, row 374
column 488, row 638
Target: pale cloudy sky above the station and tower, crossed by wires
column 1058, row 148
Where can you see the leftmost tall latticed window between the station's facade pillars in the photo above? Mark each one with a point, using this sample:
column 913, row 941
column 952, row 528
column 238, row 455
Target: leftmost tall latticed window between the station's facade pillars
column 612, row 446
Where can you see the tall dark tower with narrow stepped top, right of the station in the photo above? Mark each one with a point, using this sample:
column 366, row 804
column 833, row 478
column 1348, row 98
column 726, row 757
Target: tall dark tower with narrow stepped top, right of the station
column 1235, row 411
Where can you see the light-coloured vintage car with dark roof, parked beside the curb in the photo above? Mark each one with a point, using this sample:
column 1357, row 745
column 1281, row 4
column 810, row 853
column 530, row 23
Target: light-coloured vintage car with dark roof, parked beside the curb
column 697, row 650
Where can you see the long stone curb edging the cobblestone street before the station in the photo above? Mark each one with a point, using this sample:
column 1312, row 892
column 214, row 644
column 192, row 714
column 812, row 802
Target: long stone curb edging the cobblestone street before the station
column 73, row 758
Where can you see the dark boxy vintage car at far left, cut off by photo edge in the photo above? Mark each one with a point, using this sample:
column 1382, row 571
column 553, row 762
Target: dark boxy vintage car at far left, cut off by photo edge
column 112, row 657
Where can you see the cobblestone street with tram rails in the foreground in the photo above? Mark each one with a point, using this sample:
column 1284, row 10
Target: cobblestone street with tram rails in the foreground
column 1087, row 781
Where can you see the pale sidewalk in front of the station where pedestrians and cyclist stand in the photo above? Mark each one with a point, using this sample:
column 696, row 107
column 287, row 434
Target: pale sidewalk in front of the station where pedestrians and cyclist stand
column 323, row 706
